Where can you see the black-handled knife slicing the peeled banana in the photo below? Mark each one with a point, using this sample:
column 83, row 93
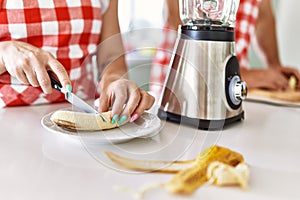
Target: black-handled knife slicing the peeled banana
column 74, row 99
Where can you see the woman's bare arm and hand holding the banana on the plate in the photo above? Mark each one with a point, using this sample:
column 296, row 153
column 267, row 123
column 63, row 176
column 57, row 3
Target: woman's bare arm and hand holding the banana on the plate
column 127, row 100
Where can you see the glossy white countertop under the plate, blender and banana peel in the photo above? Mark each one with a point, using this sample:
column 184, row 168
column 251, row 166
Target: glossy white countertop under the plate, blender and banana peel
column 37, row 164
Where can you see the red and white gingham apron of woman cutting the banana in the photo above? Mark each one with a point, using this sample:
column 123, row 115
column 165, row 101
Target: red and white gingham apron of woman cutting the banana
column 68, row 29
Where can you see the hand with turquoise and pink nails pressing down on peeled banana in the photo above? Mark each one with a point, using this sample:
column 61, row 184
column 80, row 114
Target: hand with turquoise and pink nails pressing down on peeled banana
column 126, row 99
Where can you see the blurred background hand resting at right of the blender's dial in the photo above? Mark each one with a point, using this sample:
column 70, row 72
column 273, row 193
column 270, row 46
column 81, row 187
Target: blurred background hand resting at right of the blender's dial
column 270, row 79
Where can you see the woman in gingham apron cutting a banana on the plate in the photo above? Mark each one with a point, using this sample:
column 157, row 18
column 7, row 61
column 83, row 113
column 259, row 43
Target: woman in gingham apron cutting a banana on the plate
column 57, row 35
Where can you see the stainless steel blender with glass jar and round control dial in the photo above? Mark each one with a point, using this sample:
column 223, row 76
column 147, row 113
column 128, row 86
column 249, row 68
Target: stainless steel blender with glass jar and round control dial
column 203, row 87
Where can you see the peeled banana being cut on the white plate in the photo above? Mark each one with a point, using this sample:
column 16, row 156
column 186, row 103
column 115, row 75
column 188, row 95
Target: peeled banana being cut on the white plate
column 79, row 121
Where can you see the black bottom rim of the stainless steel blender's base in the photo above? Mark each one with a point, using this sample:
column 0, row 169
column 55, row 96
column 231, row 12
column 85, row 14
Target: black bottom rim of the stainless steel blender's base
column 203, row 124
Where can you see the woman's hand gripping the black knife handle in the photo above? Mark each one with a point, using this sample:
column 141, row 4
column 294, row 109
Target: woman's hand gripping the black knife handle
column 29, row 65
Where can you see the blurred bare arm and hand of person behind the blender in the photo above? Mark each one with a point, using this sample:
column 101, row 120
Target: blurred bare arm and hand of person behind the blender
column 275, row 76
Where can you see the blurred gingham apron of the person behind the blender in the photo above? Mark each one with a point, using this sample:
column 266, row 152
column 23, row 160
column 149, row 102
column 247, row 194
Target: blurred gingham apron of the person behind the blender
column 244, row 27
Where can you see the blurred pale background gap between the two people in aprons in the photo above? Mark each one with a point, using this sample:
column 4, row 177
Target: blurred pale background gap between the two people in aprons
column 136, row 17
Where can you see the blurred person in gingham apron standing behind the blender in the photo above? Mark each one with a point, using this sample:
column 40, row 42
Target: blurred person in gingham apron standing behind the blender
column 255, row 21
